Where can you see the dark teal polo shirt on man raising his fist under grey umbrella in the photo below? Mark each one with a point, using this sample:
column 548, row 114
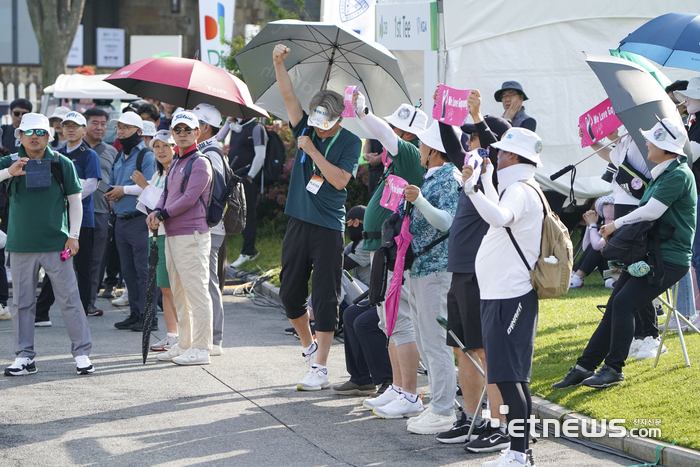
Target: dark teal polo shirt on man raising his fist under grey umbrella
column 326, row 208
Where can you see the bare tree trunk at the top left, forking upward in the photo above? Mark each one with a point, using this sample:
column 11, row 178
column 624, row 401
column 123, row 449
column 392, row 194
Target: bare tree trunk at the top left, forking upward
column 55, row 24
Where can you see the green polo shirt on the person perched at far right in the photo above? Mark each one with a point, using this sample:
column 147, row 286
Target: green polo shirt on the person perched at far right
column 675, row 187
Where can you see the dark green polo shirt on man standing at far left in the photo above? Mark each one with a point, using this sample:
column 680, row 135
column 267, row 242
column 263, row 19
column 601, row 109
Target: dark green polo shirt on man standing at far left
column 39, row 220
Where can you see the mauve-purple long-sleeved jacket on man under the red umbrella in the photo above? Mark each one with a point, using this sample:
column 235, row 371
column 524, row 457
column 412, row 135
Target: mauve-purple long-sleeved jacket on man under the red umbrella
column 183, row 213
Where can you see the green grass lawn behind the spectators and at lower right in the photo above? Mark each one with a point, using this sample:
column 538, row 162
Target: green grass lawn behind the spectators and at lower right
column 668, row 393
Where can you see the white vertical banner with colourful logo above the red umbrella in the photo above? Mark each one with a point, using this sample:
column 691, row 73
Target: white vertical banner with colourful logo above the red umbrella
column 215, row 29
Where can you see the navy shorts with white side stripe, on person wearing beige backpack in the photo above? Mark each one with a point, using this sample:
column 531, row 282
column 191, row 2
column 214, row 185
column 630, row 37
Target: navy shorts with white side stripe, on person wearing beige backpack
column 509, row 327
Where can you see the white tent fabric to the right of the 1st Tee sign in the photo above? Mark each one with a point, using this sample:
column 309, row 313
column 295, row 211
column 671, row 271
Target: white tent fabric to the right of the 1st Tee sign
column 540, row 43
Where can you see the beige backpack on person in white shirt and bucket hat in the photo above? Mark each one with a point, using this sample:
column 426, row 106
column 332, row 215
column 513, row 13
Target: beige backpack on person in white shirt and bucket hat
column 552, row 272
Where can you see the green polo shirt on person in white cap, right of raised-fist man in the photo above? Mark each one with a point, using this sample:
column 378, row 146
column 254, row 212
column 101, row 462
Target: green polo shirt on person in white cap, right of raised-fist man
column 406, row 164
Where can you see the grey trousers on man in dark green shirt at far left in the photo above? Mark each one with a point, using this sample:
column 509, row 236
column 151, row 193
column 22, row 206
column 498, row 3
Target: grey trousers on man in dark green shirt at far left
column 25, row 271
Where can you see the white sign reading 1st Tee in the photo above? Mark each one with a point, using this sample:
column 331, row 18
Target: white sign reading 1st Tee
column 407, row 26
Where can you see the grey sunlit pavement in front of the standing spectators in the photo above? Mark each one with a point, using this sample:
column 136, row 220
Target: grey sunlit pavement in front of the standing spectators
column 241, row 410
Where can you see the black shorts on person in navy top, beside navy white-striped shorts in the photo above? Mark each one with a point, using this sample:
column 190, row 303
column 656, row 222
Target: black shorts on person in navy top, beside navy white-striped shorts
column 464, row 311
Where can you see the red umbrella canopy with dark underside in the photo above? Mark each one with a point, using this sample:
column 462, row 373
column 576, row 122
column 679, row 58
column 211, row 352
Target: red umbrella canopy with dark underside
column 186, row 82
